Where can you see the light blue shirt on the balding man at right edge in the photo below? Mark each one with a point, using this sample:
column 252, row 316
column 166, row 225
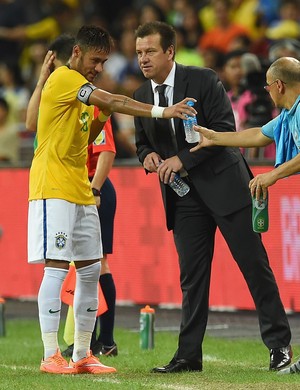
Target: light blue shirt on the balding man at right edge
column 285, row 131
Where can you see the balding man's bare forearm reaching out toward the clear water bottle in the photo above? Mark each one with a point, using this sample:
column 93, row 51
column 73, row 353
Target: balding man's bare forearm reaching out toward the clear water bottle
column 247, row 138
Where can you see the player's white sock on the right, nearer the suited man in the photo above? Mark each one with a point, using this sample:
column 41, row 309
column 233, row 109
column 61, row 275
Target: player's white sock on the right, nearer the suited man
column 85, row 308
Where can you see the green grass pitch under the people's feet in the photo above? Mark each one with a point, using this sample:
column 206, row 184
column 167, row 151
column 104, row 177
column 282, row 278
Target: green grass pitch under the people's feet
column 237, row 365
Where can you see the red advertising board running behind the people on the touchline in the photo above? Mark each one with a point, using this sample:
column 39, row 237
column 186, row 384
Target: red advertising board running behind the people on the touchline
column 144, row 263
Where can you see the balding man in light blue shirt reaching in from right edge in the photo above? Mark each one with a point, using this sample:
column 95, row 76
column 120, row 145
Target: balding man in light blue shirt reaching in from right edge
column 283, row 85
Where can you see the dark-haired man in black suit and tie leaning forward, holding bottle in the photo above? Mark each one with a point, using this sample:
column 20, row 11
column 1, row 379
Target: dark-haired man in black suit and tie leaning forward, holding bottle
column 219, row 197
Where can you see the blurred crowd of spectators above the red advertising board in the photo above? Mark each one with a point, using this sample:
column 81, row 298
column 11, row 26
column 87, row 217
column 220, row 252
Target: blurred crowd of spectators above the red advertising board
column 236, row 38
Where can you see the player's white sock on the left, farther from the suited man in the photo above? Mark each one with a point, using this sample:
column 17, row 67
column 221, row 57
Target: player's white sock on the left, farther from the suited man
column 49, row 304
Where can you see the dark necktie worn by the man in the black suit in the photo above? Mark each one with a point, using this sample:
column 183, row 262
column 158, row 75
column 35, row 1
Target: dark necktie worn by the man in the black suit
column 164, row 127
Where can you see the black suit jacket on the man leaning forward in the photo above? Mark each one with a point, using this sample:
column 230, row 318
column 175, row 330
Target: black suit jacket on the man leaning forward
column 219, row 174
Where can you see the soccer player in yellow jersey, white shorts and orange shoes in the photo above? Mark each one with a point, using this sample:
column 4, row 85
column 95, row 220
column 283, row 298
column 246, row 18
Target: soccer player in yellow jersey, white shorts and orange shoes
column 63, row 218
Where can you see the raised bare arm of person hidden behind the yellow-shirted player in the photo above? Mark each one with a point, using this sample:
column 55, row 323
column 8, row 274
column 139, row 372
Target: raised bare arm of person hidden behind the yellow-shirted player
column 34, row 102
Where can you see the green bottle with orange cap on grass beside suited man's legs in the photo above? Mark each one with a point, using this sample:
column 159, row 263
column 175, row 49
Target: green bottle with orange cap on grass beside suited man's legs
column 147, row 315
